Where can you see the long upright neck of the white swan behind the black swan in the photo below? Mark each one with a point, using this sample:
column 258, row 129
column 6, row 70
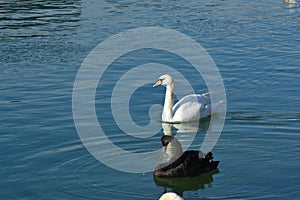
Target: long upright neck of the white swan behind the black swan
column 167, row 115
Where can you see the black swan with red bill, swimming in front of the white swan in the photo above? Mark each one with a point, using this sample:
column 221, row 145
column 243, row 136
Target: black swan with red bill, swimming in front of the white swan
column 189, row 163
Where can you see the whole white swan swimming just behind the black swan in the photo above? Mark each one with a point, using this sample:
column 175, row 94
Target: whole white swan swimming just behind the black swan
column 189, row 108
